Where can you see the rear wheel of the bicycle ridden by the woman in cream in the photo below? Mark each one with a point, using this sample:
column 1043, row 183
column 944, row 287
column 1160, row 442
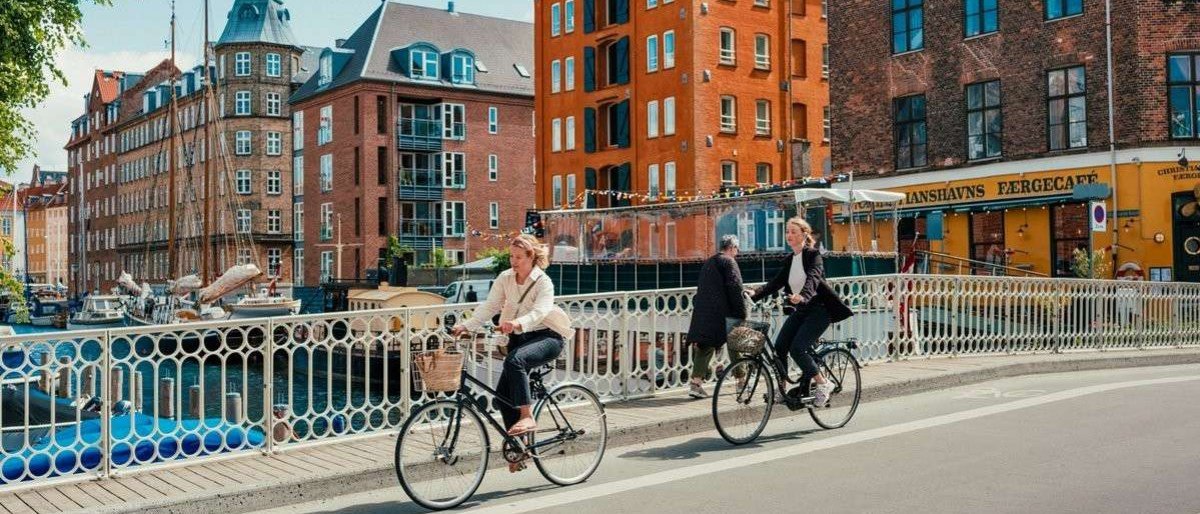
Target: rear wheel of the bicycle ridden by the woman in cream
column 573, row 434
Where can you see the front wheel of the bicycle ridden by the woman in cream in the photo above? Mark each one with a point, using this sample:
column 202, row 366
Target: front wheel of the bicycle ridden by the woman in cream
column 442, row 455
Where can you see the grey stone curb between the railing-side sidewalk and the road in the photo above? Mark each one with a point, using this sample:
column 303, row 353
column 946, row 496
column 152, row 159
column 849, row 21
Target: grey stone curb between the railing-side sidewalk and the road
column 272, row 495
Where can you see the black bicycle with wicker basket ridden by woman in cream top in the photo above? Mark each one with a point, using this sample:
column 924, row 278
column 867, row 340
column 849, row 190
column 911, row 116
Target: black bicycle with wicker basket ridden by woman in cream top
column 443, row 449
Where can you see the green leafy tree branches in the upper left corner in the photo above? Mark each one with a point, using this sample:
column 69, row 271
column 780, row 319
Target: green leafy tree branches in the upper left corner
column 32, row 35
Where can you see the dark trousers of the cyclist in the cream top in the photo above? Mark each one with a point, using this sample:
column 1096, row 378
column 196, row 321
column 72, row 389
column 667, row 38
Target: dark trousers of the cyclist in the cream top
column 526, row 352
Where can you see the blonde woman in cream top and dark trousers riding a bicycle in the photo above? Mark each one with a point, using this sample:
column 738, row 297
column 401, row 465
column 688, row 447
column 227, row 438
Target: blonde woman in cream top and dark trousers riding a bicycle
column 525, row 297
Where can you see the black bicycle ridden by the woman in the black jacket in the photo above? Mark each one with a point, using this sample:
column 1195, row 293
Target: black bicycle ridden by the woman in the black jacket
column 747, row 391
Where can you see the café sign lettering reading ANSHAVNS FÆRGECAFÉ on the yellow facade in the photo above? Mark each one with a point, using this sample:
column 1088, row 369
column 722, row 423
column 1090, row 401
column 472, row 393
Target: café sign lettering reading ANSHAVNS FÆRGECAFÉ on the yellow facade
column 986, row 190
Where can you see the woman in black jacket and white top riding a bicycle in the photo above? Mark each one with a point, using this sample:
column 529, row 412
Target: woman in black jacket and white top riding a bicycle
column 814, row 307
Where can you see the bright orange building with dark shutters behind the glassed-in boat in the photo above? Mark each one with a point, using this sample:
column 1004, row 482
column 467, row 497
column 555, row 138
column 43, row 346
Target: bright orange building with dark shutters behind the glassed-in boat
column 661, row 101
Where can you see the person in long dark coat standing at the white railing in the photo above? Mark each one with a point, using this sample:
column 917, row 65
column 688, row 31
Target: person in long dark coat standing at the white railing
column 718, row 297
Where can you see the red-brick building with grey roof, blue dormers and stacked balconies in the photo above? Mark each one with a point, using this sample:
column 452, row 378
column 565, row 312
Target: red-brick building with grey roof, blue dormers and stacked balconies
column 419, row 127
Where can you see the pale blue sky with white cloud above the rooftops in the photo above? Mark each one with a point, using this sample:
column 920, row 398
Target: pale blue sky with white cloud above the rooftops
column 133, row 35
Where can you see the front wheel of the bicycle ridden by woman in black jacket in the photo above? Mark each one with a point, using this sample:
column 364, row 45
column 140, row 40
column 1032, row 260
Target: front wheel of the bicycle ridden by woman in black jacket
column 742, row 401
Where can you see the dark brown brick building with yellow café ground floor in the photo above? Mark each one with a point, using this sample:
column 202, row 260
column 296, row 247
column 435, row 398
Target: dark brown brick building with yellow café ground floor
column 995, row 121
